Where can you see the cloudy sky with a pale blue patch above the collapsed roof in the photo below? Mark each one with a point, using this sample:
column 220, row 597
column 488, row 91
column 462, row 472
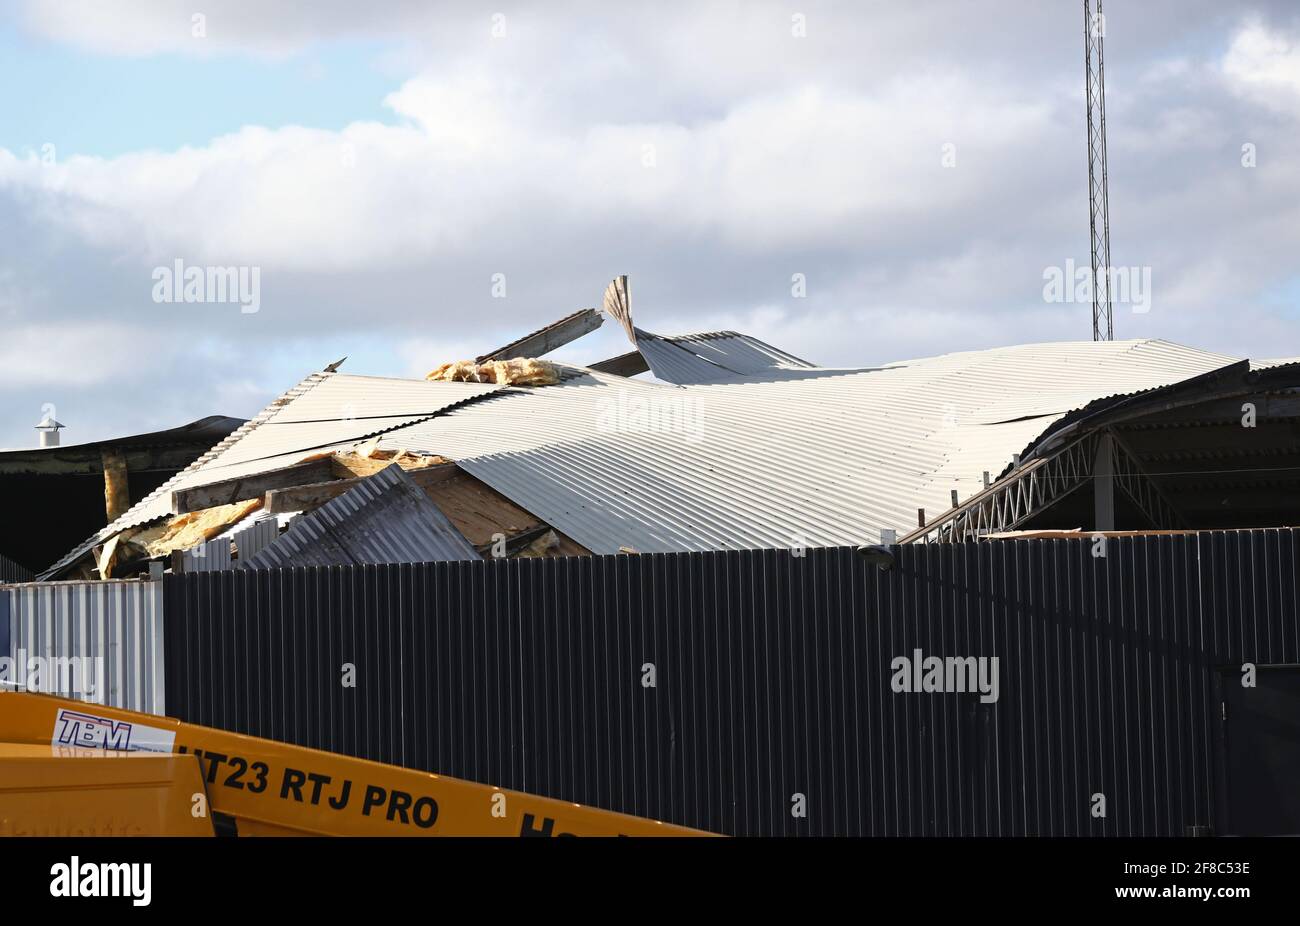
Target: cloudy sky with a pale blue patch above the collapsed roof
column 391, row 167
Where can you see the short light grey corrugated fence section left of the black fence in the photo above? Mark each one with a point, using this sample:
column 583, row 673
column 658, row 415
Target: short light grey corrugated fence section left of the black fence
column 116, row 624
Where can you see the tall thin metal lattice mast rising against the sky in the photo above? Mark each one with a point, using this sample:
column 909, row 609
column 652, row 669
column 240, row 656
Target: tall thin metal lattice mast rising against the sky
column 1099, row 210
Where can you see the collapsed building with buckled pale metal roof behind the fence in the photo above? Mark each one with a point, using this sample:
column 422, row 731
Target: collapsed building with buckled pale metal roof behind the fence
column 729, row 444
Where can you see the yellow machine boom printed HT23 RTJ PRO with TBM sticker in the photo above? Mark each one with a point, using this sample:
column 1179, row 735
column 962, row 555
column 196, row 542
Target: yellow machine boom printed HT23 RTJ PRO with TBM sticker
column 71, row 768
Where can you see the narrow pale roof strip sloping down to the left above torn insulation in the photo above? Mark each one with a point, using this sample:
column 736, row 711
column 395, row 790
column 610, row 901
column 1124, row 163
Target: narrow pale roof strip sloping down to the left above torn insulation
column 326, row 412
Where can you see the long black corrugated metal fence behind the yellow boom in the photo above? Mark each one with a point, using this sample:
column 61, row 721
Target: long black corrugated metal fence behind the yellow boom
column 773, row 678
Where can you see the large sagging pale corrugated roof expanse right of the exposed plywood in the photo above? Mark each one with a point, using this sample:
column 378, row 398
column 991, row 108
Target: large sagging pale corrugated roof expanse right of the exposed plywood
column 826, row 460
